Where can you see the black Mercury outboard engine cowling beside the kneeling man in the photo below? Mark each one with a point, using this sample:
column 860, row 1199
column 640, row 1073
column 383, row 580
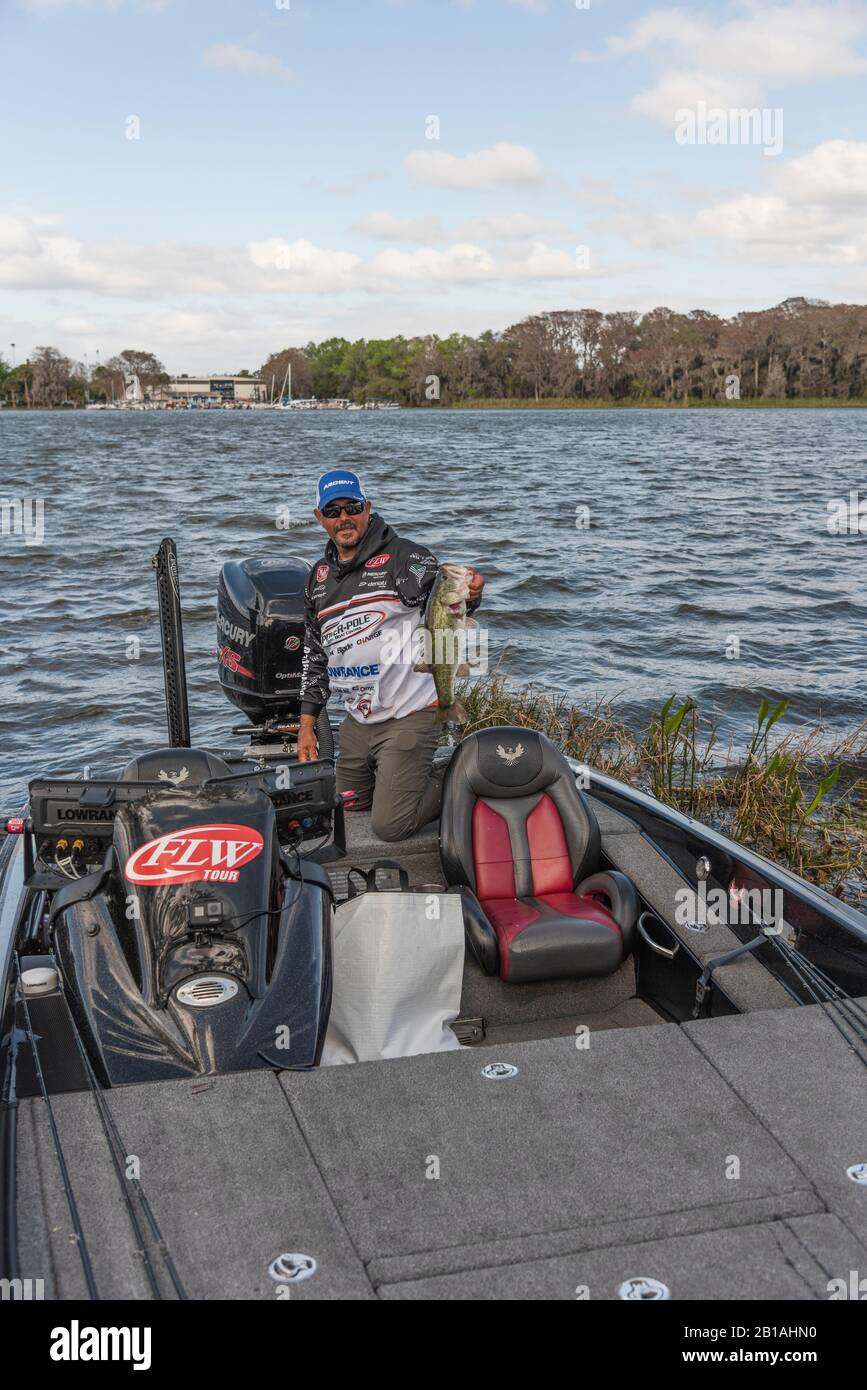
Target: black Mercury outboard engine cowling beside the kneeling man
column 261, row 635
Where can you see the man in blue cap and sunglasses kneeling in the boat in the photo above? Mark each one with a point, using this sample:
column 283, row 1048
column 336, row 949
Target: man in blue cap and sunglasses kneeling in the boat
column 365, row 600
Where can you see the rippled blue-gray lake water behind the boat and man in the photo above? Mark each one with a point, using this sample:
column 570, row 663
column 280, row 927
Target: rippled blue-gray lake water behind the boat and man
column 704, row 526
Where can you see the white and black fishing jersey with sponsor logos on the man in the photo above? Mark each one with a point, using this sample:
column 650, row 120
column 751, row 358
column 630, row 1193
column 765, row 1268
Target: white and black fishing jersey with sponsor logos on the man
column 361, row 625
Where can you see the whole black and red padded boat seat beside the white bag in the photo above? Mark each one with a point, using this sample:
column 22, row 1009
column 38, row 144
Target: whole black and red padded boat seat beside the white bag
column 522, row 846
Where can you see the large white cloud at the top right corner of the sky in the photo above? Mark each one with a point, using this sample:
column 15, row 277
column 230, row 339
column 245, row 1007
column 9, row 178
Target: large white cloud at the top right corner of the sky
column 736, row 62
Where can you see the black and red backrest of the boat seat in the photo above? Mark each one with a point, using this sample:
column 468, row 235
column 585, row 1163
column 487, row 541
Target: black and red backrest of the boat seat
column 513, row 824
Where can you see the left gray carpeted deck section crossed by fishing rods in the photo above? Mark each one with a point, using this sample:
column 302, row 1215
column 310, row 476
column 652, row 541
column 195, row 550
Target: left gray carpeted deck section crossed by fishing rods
column 230, row 1178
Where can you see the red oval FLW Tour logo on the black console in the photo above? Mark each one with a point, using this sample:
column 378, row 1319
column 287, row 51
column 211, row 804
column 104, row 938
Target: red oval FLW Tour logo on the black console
column 210, row 854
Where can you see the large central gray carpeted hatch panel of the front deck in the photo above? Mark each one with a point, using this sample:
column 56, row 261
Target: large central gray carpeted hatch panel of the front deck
column 637, row 1122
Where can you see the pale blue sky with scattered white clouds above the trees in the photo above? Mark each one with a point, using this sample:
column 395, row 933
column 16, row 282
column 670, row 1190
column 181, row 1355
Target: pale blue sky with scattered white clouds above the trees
column 217, row 180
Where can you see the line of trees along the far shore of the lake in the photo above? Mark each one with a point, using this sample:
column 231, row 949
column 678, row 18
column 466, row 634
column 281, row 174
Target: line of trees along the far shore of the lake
column 801, row 350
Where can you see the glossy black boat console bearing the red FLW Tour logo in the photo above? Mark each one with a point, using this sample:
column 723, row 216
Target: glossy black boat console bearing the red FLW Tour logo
column 202, row 947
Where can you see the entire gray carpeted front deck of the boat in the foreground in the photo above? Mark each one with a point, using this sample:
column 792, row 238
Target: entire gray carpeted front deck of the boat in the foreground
column 593, row 1167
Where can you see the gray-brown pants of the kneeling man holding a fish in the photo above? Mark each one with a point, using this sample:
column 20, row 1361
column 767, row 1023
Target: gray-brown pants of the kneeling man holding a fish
column 388, row 767
